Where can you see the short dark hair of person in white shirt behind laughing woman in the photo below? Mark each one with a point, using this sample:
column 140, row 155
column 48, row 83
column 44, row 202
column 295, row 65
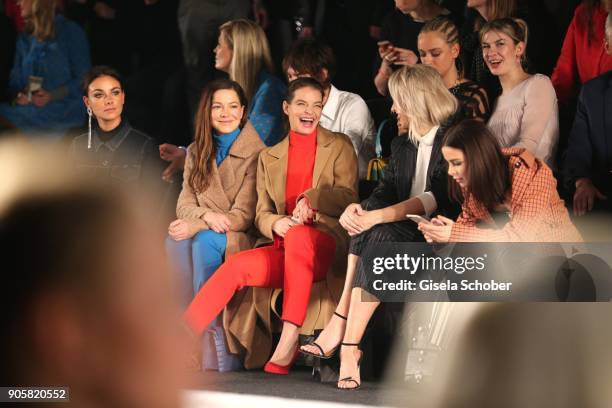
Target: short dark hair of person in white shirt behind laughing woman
column 310, row 56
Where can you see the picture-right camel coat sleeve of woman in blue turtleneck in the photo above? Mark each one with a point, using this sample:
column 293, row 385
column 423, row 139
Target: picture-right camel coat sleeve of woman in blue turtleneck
column 243, row 211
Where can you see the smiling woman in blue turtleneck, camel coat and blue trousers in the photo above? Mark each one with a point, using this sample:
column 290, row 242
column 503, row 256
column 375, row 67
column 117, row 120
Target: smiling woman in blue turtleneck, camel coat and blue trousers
column 216, row 207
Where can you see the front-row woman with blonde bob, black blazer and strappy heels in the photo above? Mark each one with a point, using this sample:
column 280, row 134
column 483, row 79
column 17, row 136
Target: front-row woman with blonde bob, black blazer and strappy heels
column 414, row 182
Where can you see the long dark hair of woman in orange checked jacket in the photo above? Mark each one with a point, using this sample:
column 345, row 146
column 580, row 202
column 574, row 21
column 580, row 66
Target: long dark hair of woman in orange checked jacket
column 487, row 169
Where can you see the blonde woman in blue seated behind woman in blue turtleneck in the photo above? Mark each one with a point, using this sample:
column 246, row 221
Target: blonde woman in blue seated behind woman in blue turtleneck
column 244, row 54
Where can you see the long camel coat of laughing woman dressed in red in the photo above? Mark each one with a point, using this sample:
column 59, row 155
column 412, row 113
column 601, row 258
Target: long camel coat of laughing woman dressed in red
column 248, row 319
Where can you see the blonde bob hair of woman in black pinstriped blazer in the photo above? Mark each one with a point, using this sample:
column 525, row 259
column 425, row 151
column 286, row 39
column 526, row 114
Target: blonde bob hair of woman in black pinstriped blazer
column 419, row 93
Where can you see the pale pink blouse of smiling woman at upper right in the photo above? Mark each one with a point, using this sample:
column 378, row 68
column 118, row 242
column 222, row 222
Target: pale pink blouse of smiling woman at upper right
column 528, row 117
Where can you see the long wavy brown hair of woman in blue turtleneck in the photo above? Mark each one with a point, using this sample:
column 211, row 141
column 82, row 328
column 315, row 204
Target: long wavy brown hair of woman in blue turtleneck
column 203, row 145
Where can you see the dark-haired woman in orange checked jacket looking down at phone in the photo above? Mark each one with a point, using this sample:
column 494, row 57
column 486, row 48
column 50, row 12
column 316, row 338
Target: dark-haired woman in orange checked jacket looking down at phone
column 507, row 194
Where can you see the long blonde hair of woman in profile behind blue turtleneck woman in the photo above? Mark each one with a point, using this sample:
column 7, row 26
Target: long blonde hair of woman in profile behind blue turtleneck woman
column 250, row 53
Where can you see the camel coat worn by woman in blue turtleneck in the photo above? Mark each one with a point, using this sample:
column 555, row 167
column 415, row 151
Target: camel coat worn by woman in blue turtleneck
column 231, row 191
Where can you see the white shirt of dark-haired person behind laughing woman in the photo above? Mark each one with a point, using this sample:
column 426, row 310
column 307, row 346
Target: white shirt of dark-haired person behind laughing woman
column 347, row 113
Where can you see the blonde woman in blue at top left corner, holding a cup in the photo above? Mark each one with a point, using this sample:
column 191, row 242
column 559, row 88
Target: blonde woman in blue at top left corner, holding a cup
column 52, row 56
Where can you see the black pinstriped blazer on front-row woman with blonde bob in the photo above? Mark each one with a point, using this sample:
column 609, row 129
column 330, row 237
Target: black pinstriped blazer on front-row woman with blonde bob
column 397, row 181
